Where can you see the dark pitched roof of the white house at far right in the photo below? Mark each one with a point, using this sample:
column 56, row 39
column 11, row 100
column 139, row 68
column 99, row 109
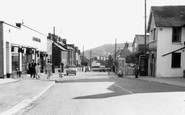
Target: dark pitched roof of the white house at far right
column 168, row 16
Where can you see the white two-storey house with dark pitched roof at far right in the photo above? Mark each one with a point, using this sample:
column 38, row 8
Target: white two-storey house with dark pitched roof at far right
column 167, row 34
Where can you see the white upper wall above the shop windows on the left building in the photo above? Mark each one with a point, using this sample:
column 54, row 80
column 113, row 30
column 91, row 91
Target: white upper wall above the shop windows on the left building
column 24, row 36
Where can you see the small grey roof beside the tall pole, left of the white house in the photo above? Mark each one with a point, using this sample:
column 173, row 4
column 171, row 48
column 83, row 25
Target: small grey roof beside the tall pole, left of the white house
column 140, row 39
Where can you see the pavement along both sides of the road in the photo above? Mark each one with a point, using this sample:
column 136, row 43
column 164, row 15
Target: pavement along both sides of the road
column 19, row 92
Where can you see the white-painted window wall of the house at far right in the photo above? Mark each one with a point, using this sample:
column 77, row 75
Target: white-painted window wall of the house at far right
column 165, row 45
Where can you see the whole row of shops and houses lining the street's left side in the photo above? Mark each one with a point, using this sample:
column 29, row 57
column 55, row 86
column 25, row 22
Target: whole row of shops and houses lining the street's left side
column 23, row 44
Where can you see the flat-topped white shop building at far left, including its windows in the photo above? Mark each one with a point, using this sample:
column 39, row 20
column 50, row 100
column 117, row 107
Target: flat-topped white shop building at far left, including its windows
column 19, row 46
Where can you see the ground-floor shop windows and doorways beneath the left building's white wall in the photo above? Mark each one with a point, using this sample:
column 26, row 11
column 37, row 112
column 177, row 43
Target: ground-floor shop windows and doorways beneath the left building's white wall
column 21, row 57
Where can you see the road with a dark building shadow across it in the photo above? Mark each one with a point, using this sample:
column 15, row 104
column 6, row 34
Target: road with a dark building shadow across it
column 96, row 93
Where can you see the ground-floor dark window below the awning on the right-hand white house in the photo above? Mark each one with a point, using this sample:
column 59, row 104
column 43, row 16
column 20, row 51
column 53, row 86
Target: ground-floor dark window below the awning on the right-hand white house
column 176, row 60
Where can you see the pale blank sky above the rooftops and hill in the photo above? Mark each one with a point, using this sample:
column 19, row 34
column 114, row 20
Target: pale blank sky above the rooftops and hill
column 88, row 23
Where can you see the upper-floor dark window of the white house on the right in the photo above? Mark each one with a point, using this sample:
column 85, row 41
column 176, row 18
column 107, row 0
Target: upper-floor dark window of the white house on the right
column 176, row 35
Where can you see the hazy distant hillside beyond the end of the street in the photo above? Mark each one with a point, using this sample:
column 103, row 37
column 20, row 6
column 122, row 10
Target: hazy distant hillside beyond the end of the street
column 103, row 50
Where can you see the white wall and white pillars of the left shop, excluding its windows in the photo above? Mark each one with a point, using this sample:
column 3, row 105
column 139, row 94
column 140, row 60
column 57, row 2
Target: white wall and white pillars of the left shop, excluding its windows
column 22, row 37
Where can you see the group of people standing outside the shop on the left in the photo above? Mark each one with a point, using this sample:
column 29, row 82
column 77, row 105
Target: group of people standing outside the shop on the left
column 34, row 69
